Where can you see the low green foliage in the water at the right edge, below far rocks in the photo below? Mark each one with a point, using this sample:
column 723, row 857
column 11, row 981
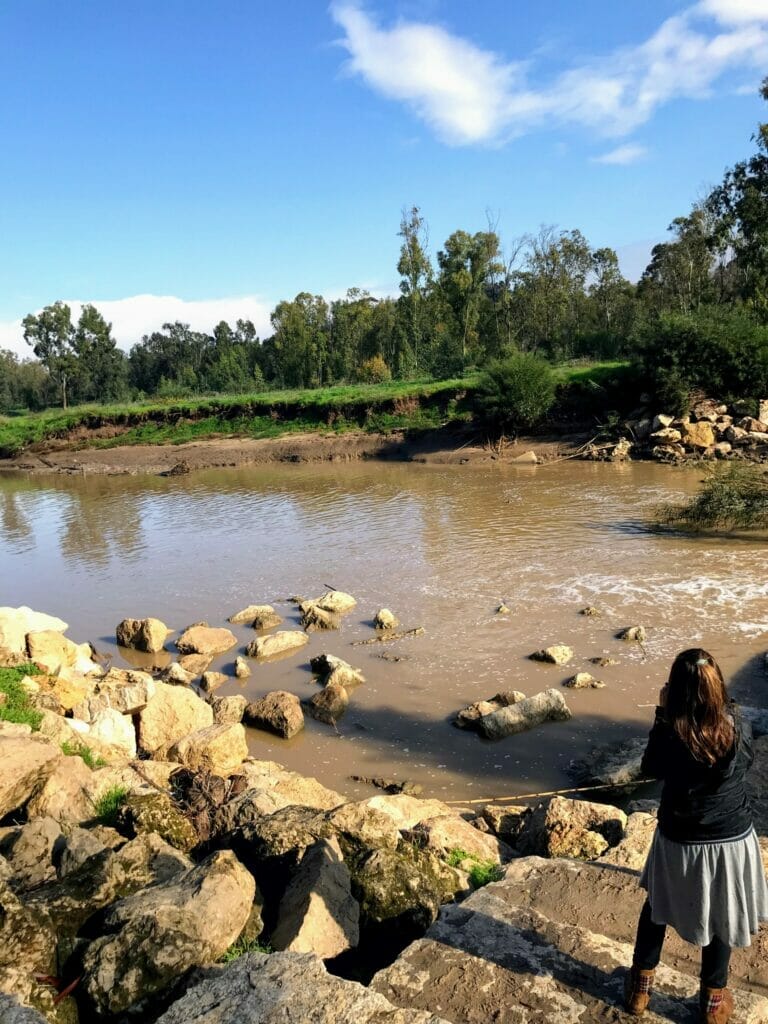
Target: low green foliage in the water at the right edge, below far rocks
column 732, row 498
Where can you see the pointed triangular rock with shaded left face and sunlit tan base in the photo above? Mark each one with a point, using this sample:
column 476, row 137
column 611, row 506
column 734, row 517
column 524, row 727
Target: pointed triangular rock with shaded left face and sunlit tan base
column 318, row 913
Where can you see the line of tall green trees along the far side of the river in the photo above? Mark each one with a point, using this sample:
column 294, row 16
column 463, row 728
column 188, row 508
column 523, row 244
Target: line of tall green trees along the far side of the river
column 700, row 308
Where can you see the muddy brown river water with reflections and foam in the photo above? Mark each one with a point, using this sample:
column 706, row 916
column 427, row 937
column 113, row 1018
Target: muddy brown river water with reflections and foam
column 441, row 547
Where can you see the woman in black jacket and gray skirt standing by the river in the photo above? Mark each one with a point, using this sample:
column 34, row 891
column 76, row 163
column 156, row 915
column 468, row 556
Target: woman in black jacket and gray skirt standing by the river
column 705, row 874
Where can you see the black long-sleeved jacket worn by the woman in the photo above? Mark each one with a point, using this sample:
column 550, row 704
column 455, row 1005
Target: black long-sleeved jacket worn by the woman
column 700, row 802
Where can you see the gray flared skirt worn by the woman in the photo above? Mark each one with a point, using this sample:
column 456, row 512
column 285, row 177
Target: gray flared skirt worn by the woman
column 705, row 890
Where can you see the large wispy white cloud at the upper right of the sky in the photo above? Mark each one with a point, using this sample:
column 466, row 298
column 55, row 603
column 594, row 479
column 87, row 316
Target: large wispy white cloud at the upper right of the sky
column 471, row 96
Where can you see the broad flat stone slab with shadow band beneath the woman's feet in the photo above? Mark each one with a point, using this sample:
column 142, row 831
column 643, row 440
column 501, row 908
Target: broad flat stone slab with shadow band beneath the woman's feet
column 496, row 959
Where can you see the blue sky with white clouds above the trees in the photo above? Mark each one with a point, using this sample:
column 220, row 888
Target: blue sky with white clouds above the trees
column 187, row 160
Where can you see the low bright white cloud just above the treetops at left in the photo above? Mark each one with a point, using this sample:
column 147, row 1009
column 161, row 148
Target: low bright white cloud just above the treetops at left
column 140, row 315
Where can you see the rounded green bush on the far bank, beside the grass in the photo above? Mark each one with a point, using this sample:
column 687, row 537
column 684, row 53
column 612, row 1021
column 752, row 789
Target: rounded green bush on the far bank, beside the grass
column 517, row 392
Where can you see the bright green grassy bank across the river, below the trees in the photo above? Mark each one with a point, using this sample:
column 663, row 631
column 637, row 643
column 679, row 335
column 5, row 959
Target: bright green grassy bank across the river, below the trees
column 375, row 408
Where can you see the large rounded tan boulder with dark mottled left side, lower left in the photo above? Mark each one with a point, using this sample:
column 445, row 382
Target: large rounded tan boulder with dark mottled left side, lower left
column 158, row 934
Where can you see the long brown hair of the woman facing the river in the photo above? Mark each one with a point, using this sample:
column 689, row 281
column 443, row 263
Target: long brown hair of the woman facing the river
column 697, row 706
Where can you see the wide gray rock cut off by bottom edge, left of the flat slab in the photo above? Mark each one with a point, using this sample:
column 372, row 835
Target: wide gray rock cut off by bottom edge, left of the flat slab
column 282, row 989
